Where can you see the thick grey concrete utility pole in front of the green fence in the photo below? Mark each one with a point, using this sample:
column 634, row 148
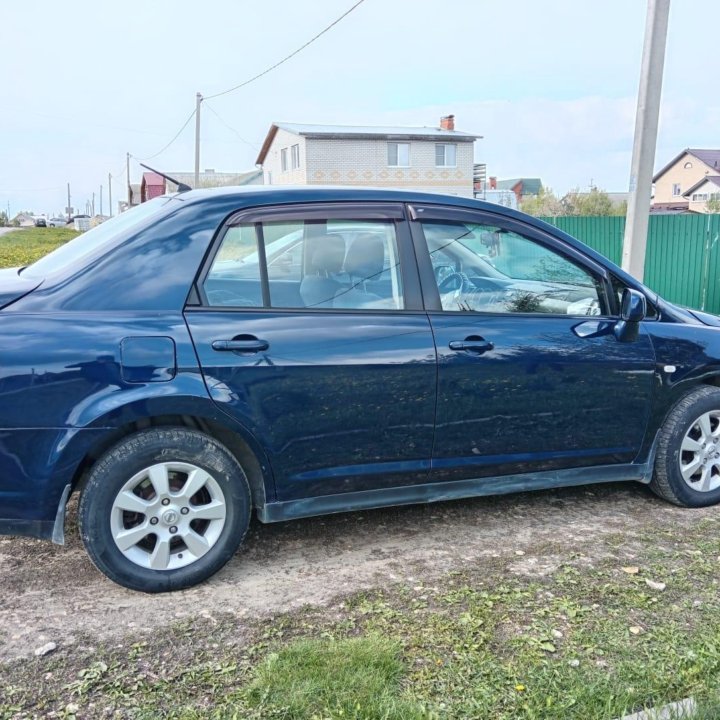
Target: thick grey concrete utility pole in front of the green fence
column 646, row 125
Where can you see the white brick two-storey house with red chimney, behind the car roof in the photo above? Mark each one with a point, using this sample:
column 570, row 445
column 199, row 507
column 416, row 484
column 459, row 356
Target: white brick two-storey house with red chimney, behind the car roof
column 431, row 159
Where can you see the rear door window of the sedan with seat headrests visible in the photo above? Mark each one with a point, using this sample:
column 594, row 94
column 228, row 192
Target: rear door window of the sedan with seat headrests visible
column 311, row 264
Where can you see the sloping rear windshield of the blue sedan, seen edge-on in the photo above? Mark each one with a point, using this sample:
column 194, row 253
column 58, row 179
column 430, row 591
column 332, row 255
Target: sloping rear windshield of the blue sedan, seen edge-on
column 89, row 242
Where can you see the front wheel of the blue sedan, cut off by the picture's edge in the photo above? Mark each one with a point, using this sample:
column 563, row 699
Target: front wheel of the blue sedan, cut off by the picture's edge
column 687, row 462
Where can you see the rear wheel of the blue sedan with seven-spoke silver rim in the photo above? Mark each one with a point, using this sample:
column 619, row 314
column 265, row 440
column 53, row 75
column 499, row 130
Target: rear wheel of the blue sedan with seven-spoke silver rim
column 164, row 509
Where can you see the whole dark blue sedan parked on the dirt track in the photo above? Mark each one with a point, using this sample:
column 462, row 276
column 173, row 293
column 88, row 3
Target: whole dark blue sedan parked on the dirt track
column 310, row 351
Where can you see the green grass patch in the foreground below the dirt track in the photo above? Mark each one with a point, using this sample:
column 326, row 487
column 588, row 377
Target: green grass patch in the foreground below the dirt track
column 590, row 640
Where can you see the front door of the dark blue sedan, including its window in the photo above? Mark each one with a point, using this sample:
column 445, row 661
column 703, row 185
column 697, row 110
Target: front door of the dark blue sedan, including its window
column 530, row 374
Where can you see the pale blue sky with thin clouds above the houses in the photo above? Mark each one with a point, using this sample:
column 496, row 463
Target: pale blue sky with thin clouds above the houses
column 551, row 85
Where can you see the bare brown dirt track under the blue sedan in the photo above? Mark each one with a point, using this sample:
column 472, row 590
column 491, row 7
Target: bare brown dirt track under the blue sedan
column 54, row 594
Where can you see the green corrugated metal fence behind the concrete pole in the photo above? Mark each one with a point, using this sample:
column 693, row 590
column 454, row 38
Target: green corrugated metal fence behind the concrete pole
column 682, row 261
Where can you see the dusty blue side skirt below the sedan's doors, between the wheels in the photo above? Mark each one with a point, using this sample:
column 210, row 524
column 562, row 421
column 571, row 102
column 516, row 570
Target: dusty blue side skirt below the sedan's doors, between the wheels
column 455, row 490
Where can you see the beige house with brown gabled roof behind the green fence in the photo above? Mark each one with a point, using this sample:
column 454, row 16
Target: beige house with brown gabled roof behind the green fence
column 686, row 180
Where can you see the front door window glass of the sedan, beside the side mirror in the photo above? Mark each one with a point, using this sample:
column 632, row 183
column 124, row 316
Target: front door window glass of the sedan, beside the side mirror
column 485, row 268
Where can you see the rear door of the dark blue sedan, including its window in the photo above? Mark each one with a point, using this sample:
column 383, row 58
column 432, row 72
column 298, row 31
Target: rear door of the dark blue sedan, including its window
column 310, row 331
